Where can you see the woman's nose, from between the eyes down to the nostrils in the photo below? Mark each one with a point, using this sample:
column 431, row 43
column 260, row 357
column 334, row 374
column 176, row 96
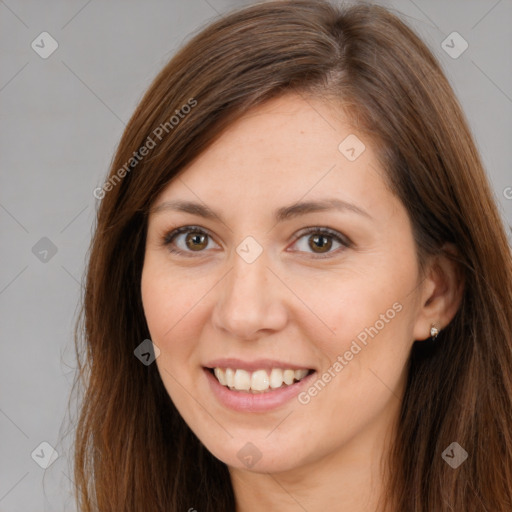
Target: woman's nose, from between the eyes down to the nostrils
column 250, row 301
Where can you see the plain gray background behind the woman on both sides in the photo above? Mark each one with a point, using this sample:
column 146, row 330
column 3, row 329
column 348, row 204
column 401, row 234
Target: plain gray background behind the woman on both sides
column 61, row 119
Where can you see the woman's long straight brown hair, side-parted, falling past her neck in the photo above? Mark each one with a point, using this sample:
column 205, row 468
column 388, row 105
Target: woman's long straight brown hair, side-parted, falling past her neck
column 133, row 451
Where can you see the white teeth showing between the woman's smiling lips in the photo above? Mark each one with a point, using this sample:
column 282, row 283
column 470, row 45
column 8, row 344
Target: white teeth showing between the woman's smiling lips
column 259, row 381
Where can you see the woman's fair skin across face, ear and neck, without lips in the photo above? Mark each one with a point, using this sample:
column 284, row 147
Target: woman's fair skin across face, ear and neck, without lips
column 302, row 302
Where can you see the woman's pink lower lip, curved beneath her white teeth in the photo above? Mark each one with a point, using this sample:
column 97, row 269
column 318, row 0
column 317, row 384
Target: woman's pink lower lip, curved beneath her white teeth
column 256, row 402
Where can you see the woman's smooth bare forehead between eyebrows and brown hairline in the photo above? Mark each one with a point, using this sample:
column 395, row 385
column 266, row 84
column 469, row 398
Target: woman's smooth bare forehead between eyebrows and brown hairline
column 279, row 152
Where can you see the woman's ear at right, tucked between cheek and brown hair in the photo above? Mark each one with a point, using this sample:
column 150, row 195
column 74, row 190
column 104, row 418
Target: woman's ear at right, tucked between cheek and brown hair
column 441, row 295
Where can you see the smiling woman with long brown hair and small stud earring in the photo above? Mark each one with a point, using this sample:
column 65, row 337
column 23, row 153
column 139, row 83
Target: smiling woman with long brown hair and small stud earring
column 298, row 295
